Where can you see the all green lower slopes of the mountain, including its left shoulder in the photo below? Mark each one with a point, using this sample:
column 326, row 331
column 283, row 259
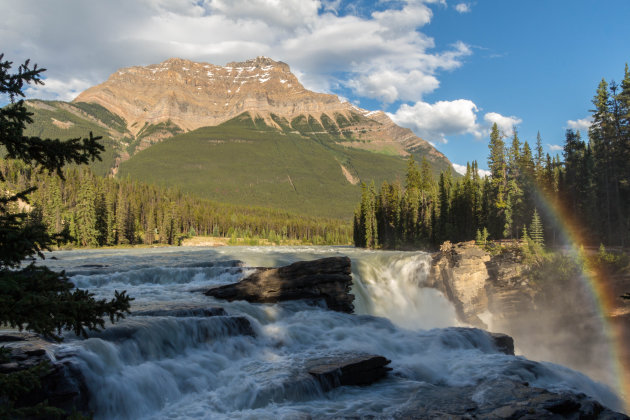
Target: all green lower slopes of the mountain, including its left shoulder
column 302, row 165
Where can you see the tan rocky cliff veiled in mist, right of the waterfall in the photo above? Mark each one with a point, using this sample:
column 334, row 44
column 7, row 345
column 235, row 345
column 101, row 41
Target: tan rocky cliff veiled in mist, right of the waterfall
column 553, row 319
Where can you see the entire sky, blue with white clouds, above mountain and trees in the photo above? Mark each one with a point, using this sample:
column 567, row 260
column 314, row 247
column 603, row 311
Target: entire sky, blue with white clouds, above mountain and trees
column 446, row 69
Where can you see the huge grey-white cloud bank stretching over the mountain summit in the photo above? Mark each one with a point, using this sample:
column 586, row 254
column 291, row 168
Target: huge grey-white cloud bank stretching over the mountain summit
column 381, row 55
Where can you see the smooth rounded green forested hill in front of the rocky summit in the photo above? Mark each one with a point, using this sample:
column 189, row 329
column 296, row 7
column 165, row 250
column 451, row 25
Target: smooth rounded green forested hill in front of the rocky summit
column 247, row 162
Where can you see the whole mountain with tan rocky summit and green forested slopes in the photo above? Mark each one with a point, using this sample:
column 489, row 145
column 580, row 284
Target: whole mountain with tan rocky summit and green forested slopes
column 199, row 126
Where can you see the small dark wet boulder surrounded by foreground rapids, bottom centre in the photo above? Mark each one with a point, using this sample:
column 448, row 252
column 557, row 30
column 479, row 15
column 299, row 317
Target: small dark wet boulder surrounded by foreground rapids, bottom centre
column 351, row 369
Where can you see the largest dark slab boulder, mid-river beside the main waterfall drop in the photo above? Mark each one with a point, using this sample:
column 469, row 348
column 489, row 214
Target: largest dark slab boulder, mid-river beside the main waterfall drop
column 327, row 278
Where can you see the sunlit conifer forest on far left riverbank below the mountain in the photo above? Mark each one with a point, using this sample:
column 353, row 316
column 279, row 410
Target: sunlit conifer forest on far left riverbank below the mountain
column 96, row 211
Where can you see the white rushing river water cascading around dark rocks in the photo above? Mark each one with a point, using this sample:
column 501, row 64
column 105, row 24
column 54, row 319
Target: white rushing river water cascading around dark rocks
column 153, row 365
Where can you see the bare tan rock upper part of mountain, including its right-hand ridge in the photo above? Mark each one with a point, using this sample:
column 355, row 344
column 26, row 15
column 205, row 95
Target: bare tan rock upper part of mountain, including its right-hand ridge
column 190, row 95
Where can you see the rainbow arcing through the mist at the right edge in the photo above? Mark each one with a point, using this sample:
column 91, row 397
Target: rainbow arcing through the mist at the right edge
column 595, row 281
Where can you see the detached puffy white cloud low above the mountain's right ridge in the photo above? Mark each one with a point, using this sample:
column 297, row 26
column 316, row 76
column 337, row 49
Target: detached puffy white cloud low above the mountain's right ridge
column 436, row 121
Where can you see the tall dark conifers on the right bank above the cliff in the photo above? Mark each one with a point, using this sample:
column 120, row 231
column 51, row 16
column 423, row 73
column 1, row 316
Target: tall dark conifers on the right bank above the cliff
column 590, row 184
